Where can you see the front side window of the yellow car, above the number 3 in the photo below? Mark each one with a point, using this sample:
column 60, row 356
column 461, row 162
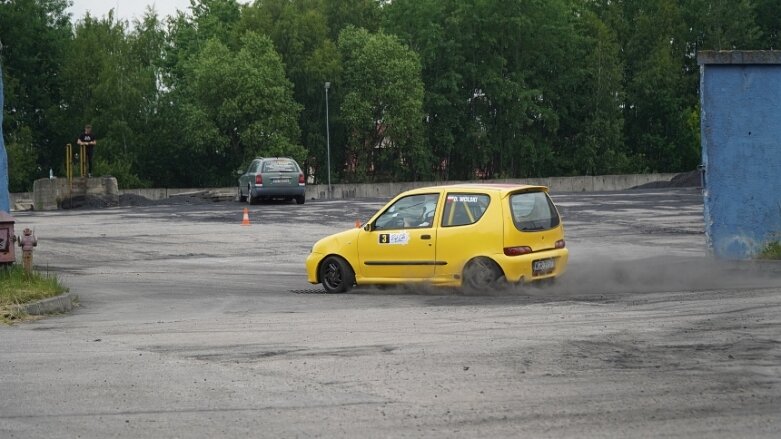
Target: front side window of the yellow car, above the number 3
column 411, row 212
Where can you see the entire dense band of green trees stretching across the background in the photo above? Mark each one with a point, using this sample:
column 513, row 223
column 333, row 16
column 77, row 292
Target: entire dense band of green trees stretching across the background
column 420, row 89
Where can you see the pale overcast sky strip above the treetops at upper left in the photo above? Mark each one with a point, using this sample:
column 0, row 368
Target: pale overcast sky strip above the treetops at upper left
column 125, row 9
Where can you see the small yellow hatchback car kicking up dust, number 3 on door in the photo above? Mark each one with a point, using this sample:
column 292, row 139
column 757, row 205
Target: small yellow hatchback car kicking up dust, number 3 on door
column 472, row 235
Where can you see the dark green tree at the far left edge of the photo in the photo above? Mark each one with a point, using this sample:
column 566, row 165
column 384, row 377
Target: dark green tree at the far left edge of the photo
column 35, row 35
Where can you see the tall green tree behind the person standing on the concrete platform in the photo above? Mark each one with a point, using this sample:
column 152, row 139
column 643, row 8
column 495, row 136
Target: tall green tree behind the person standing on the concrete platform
column 112, row 83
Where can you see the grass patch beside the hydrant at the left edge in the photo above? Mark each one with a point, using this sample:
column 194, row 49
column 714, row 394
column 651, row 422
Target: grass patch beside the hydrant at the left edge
column 17, row 287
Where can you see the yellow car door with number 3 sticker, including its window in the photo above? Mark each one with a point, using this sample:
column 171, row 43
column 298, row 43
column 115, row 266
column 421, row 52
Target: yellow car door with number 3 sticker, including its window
column 401, row 242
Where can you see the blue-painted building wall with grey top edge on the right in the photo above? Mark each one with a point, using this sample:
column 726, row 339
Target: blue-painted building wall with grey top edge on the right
column 740, row 97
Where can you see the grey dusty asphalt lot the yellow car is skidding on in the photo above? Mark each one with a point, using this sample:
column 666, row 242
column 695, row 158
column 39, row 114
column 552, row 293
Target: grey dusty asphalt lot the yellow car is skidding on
column 191, row 325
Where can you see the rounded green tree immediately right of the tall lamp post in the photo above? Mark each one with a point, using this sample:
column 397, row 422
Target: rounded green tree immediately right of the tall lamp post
column 382, row 107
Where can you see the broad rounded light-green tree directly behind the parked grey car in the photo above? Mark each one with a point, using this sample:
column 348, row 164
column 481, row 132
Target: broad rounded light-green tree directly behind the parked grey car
column 238, row 105
